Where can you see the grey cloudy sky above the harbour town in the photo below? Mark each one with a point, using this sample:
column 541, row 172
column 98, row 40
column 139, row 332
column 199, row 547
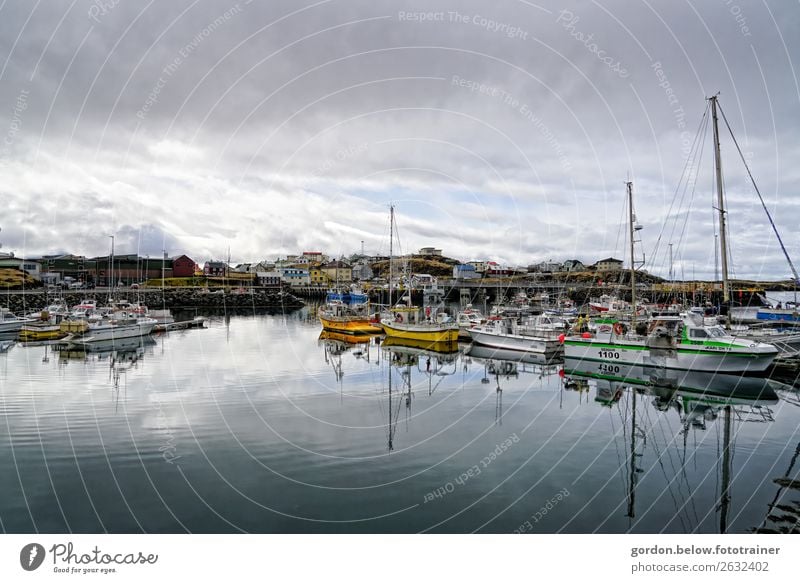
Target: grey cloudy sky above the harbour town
column 501, row 130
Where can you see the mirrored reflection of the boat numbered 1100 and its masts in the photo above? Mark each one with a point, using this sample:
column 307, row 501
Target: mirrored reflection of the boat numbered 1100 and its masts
column 699, row 400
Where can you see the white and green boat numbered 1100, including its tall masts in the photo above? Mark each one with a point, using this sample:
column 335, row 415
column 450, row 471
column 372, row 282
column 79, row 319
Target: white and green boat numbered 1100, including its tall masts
column 674, row 341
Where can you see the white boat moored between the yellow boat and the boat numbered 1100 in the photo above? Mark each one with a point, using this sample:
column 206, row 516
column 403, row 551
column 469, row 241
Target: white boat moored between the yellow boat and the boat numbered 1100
column 539, row 334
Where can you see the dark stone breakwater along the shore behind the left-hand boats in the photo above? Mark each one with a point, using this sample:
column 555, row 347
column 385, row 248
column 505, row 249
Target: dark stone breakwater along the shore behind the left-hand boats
column 157, row 299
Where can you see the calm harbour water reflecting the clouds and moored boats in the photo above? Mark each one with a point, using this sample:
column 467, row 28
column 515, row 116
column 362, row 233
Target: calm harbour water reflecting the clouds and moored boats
column 256, row 424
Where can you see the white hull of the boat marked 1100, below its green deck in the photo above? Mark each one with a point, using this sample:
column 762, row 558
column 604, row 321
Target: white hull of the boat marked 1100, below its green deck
column 694, row 358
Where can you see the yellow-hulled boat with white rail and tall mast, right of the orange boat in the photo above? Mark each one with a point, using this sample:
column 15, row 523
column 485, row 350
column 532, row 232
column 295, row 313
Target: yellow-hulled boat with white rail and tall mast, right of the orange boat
column 406, row 321
